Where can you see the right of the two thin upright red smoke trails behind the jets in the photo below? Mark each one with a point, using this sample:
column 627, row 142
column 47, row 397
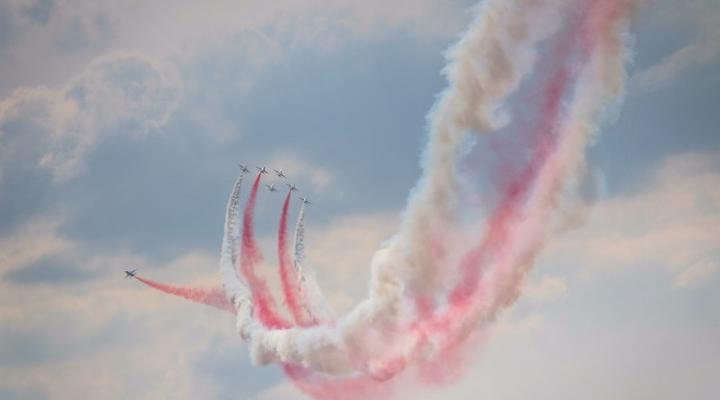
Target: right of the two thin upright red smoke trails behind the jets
column 288, row 276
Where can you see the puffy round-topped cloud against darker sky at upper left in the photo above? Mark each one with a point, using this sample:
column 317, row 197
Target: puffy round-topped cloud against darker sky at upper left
column 54, row 129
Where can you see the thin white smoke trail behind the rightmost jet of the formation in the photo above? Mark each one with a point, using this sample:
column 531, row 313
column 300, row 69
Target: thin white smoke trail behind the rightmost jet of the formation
column 311, row 297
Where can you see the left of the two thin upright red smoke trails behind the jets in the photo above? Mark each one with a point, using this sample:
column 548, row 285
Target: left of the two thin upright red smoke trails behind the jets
column 251, row 255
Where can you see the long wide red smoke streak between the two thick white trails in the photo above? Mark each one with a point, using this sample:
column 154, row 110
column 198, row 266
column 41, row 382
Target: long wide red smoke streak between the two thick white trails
column 501, row 225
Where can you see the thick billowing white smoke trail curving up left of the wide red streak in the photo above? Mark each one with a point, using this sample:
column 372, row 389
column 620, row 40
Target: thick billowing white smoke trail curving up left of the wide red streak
column 505, row 34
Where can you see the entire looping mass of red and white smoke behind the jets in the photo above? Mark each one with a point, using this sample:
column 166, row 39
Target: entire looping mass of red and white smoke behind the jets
column 409, row 317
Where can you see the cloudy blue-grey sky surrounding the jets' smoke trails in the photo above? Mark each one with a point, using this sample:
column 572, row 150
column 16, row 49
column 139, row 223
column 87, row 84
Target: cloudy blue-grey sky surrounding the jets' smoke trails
column 121, row 124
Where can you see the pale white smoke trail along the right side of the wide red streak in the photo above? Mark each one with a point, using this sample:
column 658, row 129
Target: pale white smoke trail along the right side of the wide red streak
column 599, row 82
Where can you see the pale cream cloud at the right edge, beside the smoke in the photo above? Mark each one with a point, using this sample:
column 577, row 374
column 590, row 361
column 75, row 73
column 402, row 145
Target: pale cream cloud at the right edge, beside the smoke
column 672, row 224
